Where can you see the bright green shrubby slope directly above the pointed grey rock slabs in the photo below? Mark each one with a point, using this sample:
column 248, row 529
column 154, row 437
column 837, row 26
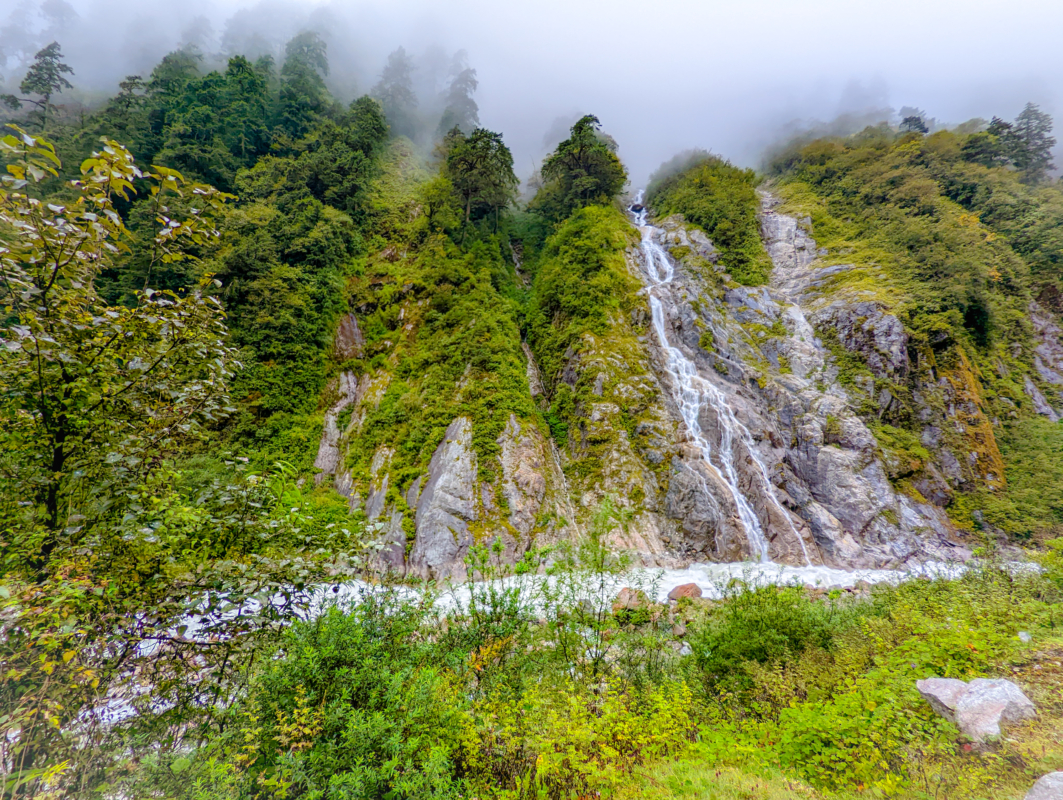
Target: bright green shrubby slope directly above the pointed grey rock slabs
column 446, row 344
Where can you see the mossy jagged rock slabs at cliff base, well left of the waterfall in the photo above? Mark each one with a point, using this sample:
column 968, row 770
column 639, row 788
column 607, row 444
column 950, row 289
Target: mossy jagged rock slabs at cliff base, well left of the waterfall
column 450, row 507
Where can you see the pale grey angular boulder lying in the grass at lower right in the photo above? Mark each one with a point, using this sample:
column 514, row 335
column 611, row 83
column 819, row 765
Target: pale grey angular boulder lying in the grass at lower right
column 980, row 709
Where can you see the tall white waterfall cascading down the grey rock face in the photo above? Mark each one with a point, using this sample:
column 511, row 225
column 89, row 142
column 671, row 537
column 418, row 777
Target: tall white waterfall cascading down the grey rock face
column 691, row 393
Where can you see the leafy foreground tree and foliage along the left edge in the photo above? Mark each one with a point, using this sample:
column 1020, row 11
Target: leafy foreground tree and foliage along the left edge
column 115, row 544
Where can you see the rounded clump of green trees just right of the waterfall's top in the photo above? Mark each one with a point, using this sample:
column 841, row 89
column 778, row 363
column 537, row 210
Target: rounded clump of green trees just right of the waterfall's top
column 721, row 200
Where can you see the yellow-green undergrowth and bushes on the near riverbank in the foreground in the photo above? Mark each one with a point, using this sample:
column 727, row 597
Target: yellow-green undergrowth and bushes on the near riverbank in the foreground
column 538, row 690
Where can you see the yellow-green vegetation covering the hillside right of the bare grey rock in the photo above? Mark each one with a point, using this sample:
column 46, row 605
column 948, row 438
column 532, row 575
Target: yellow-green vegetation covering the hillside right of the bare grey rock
column 958, row 247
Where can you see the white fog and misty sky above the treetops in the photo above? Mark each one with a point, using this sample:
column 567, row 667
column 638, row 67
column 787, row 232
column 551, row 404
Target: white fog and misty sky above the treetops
column 664, row 77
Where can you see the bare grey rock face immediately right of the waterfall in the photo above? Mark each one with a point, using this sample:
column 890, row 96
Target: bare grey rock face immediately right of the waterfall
column 769, row 360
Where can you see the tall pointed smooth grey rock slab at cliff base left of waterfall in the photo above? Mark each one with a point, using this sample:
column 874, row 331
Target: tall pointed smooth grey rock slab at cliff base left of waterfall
column 446, row 507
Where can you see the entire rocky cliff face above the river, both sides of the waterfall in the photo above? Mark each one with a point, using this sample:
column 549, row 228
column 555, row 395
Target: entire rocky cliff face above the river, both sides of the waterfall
column 775, row 362
